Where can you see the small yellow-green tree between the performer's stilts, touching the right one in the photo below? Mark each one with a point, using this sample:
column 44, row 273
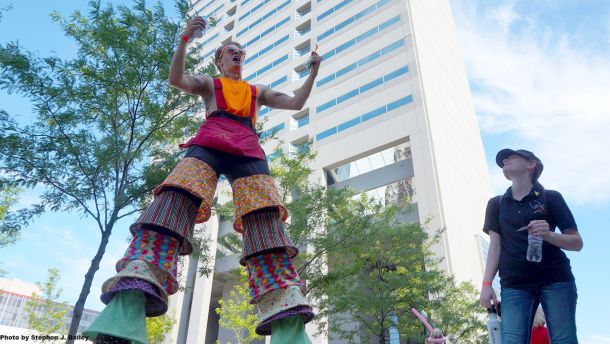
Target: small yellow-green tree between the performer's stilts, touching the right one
column 237, row 314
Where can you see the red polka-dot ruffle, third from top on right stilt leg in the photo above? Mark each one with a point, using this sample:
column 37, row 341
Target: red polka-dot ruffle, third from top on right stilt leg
column 269, row 272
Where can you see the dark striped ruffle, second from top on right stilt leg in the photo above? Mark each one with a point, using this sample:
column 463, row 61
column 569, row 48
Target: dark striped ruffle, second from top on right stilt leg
column 264, row 232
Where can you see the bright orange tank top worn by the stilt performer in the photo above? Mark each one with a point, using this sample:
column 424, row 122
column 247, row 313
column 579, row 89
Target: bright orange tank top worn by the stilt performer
column 238, row 98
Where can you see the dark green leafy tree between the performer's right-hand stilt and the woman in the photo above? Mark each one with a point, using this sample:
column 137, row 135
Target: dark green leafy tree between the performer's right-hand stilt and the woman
column 381, row 273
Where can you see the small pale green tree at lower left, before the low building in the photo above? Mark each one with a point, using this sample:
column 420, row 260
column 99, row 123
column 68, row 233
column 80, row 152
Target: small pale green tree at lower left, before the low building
column 45, row 315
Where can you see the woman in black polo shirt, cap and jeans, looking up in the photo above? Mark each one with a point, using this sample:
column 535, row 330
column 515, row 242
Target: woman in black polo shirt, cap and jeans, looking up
column 527, row 205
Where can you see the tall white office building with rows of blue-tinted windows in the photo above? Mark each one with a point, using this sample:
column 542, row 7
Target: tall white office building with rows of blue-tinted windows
column 390, row 114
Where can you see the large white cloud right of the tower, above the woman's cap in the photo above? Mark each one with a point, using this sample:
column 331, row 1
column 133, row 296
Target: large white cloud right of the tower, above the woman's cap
column 549, row 94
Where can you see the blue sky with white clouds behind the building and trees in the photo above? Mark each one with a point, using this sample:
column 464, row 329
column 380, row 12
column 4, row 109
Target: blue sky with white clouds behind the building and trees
column 539, row 72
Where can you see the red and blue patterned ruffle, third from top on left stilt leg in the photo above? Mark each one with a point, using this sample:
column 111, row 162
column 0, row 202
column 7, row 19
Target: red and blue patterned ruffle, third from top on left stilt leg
column 157, row 249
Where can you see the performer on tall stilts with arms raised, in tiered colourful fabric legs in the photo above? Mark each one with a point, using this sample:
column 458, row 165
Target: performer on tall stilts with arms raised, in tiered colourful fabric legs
column 225, row 144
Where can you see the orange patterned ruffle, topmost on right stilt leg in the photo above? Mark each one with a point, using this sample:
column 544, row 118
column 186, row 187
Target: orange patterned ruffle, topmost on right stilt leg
column 252, row 193
